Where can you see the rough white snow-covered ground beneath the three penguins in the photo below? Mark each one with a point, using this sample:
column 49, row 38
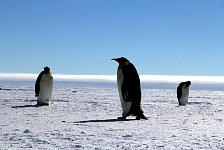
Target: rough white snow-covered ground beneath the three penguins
column 83, row 116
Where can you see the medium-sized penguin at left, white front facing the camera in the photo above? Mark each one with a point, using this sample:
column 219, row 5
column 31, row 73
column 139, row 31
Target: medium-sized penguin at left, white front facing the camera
column 44, row 87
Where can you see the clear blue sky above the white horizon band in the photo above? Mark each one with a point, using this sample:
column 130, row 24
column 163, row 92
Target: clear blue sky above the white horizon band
column 161, row 37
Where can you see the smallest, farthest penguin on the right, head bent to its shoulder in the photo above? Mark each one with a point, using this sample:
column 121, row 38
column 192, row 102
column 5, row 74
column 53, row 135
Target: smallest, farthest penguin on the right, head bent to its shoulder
column 183, row 92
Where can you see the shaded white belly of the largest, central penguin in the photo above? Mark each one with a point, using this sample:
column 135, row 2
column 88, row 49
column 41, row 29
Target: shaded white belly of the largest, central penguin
column 125, row 105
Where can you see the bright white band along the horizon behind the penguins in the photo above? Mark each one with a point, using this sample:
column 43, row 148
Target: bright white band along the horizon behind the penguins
column 146, row 78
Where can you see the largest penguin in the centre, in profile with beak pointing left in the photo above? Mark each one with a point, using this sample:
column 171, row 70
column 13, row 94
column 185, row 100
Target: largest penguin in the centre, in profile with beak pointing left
column 129, row 89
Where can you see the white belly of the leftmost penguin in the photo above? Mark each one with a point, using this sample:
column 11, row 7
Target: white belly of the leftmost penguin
column 46, row 89
